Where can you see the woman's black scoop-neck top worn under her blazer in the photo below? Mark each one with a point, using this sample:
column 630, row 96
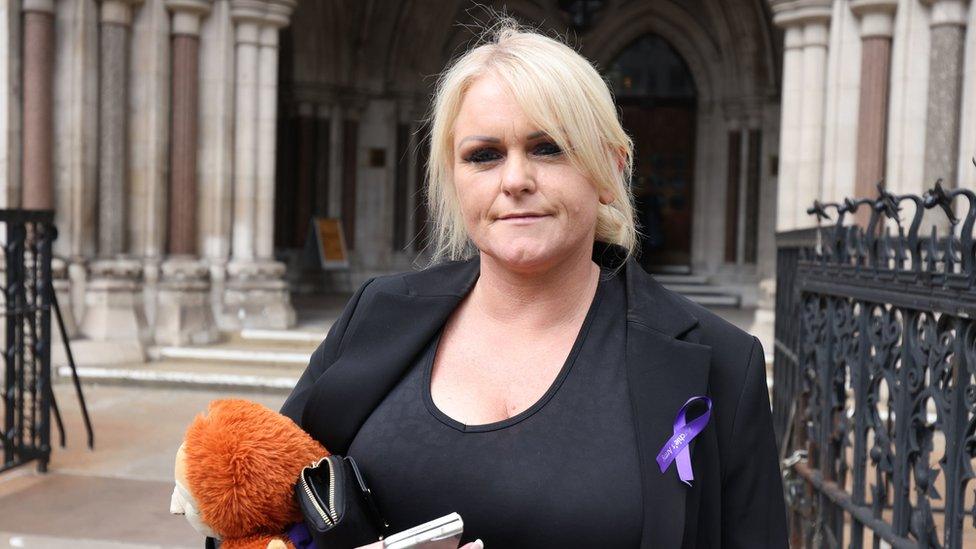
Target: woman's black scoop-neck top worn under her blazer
column 563, row 473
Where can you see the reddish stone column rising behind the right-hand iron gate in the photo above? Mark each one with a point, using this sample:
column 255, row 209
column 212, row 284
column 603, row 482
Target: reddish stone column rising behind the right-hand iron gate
column 877, row 25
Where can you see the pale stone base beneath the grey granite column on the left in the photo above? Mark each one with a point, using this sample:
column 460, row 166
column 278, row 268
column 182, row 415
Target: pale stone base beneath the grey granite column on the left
column 113, row 303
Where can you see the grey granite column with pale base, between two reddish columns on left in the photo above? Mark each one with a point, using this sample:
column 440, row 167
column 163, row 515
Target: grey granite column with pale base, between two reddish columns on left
column 114, row 305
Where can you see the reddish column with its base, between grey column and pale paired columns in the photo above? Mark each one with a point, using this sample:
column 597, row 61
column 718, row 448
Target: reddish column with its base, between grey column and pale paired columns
column 184, row 315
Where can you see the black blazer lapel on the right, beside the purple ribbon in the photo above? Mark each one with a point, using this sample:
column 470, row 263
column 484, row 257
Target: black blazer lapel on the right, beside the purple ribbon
column 663, row 372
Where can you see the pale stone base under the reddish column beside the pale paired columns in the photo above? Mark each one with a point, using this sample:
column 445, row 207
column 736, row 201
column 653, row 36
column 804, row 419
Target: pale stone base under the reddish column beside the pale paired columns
column 183, row 312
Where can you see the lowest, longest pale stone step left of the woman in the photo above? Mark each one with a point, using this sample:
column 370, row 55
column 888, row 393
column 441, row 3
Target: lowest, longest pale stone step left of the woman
column 180, row 374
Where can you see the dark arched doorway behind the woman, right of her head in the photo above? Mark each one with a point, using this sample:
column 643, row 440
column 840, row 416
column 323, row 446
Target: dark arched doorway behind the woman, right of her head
column 657, row 97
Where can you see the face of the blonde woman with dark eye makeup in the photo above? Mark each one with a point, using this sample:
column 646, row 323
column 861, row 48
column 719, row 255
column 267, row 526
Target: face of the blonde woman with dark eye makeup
column 523, row 202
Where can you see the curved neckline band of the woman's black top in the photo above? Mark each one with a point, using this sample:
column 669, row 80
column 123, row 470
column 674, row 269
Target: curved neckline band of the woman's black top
column 538, row 404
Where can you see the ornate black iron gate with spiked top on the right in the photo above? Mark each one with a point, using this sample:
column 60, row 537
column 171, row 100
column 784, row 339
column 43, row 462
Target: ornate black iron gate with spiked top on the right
column 874, row 390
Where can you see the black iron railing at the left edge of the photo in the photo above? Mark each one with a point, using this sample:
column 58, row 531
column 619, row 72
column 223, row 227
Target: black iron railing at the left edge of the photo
column 28, row 399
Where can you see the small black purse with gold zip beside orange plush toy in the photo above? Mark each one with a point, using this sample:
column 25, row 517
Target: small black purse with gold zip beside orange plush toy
column 338, row 507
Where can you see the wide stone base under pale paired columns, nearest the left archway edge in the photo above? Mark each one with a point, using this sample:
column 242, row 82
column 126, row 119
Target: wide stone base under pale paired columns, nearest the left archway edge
column 256, row 296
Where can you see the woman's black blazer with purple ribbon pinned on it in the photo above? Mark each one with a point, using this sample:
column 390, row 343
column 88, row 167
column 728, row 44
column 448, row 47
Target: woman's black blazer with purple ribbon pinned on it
column 675, row 350
